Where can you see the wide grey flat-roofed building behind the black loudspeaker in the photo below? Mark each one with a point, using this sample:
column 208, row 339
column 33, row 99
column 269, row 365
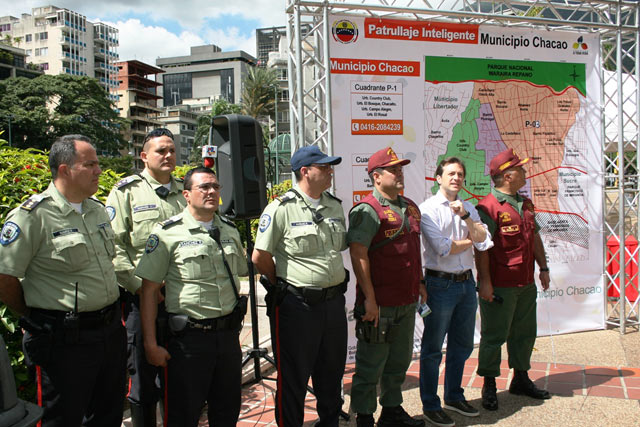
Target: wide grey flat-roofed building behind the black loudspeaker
column 206, row 73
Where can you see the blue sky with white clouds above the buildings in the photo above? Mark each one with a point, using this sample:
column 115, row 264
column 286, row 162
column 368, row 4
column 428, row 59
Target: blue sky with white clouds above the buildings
column 163, row 28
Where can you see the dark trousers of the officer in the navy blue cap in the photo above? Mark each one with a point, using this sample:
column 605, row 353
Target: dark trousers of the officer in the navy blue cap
column 309, row 342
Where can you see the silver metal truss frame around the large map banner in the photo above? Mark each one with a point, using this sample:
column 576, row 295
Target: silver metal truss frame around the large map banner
column 617, row 22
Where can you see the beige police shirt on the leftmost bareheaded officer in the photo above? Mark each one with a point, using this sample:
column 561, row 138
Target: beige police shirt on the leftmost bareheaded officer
column 52, row 247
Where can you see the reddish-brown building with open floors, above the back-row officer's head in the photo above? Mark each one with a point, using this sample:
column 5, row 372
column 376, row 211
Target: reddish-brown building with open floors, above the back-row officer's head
column 138, row 102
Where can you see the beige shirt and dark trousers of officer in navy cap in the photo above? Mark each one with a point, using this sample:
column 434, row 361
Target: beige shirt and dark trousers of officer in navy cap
column 310, row 339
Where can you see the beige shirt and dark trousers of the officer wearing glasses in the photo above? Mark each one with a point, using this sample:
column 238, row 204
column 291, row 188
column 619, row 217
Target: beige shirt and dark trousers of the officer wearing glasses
column 206, row 360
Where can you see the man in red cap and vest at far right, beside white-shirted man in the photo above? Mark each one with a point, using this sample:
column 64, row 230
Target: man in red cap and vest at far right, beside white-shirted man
column 506, row 271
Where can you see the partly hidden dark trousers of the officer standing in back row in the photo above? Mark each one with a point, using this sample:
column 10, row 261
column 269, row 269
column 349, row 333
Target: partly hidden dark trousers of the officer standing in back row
column 144, row 379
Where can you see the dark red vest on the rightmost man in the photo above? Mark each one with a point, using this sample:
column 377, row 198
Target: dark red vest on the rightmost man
column 511, row 258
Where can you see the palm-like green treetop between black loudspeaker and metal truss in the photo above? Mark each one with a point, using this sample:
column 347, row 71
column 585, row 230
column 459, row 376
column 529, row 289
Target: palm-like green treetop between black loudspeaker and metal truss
column 258, row 94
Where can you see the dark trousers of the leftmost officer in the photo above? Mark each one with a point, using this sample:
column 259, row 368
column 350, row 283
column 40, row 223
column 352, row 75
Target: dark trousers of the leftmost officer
column 82, row 383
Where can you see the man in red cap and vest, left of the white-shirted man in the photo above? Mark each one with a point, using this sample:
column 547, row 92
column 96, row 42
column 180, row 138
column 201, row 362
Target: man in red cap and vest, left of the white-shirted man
column 384, row 243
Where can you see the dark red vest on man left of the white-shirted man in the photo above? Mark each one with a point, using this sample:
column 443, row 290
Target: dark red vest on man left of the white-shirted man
column 395, row 266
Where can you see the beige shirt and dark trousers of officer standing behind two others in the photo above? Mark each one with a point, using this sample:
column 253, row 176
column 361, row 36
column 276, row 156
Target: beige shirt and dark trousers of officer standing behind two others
column 135, row 208
